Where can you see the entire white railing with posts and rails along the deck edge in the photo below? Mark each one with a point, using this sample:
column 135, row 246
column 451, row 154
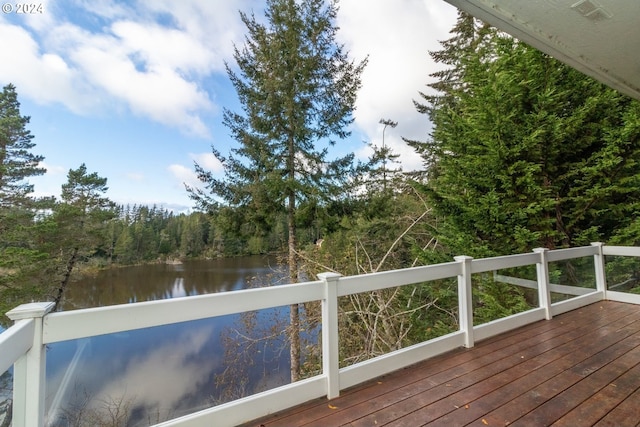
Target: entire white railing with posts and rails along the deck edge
column 23, row 345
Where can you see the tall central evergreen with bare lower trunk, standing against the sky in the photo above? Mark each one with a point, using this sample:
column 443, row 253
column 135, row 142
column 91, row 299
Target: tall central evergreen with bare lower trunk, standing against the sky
column 297, row 89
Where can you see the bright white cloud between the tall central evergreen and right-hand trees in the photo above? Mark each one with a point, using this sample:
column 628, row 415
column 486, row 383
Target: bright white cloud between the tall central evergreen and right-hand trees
column 397, row 36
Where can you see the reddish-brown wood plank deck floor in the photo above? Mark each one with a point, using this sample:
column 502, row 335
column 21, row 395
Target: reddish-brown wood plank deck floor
column 581, row 368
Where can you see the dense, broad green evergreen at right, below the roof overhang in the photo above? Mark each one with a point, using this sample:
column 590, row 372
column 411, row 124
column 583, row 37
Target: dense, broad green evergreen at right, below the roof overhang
column 525, row 150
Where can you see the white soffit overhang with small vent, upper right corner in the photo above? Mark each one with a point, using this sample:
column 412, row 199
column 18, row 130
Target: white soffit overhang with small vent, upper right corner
column 600, row 38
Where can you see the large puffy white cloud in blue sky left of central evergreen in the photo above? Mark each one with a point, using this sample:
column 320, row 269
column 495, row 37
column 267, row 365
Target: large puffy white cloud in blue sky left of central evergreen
column 155, row 70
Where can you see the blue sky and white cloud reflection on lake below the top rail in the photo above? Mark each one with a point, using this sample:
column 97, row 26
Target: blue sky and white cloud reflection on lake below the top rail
column 154, row 372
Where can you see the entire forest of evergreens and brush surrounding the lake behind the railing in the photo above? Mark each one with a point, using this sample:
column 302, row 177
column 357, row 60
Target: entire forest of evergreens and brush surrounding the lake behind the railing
column 524, row 152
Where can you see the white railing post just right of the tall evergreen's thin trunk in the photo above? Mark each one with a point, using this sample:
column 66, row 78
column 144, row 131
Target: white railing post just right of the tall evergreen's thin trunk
column 330, row 343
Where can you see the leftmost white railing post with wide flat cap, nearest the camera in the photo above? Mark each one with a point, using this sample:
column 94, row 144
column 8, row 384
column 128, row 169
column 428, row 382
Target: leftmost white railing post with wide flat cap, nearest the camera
column 29, row 370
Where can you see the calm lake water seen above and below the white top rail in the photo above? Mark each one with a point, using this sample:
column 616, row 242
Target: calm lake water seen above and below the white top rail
column 151, row 375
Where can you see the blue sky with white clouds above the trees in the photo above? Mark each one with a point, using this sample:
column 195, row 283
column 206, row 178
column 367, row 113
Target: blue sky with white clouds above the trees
column 135, row 89
